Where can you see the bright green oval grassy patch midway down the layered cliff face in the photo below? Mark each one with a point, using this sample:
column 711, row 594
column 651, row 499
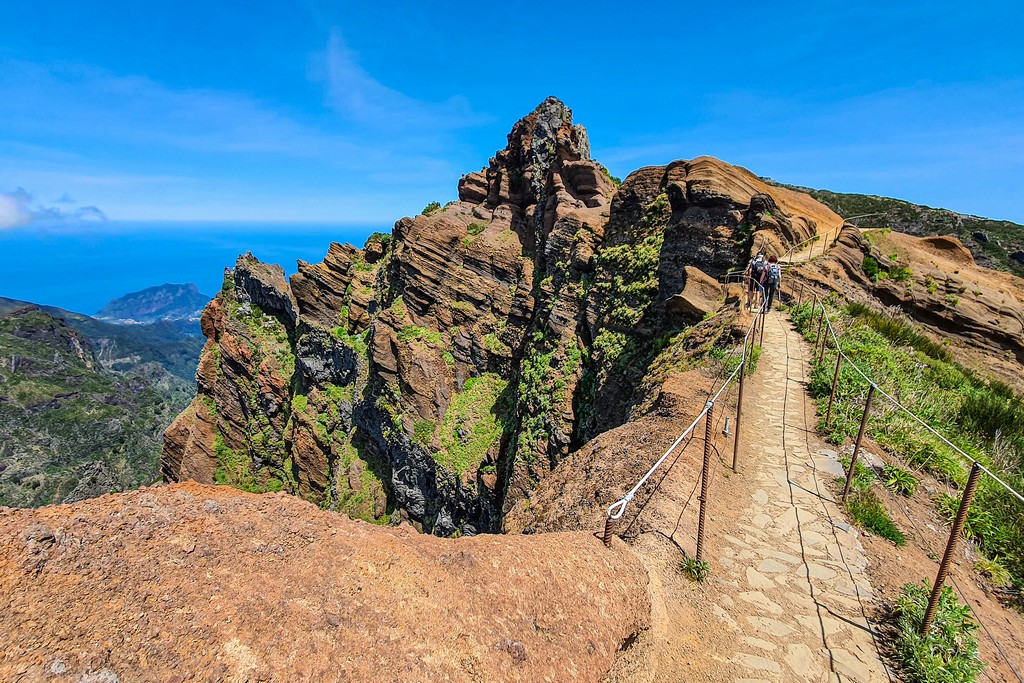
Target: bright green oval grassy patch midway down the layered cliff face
column 475, row 421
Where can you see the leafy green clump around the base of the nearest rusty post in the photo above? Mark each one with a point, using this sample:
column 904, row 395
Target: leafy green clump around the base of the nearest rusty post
column 950, row 653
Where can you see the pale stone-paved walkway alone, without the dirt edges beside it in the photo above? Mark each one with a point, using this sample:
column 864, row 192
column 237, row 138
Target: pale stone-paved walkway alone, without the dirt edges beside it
column 793, row 571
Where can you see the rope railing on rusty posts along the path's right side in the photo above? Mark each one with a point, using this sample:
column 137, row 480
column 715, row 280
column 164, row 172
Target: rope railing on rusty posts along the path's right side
column 976, row 467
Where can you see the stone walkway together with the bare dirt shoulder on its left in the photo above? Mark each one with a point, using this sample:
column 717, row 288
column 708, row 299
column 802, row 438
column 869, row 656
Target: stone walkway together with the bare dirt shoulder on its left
column 788, row 597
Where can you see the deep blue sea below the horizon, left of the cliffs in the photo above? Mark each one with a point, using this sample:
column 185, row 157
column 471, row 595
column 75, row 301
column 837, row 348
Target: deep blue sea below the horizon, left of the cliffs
column 81, row 269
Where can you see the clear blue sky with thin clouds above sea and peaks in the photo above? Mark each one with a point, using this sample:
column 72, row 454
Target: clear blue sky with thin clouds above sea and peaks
column 362, row 113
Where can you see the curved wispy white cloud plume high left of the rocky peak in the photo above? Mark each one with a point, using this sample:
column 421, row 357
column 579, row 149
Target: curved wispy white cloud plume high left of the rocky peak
column 358, row 96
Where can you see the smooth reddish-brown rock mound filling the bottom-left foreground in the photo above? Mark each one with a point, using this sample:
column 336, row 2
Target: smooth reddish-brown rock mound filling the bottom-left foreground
column 290, row 592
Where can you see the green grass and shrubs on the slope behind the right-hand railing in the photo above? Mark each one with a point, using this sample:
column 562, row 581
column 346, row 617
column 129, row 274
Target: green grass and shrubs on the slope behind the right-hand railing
column 988, row 419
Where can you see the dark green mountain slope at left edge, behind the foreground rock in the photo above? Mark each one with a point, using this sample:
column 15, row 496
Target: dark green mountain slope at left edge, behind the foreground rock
column 72, row 429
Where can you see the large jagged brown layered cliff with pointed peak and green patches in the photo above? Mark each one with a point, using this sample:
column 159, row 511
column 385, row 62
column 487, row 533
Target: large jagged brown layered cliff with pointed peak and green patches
column 442, row 372
